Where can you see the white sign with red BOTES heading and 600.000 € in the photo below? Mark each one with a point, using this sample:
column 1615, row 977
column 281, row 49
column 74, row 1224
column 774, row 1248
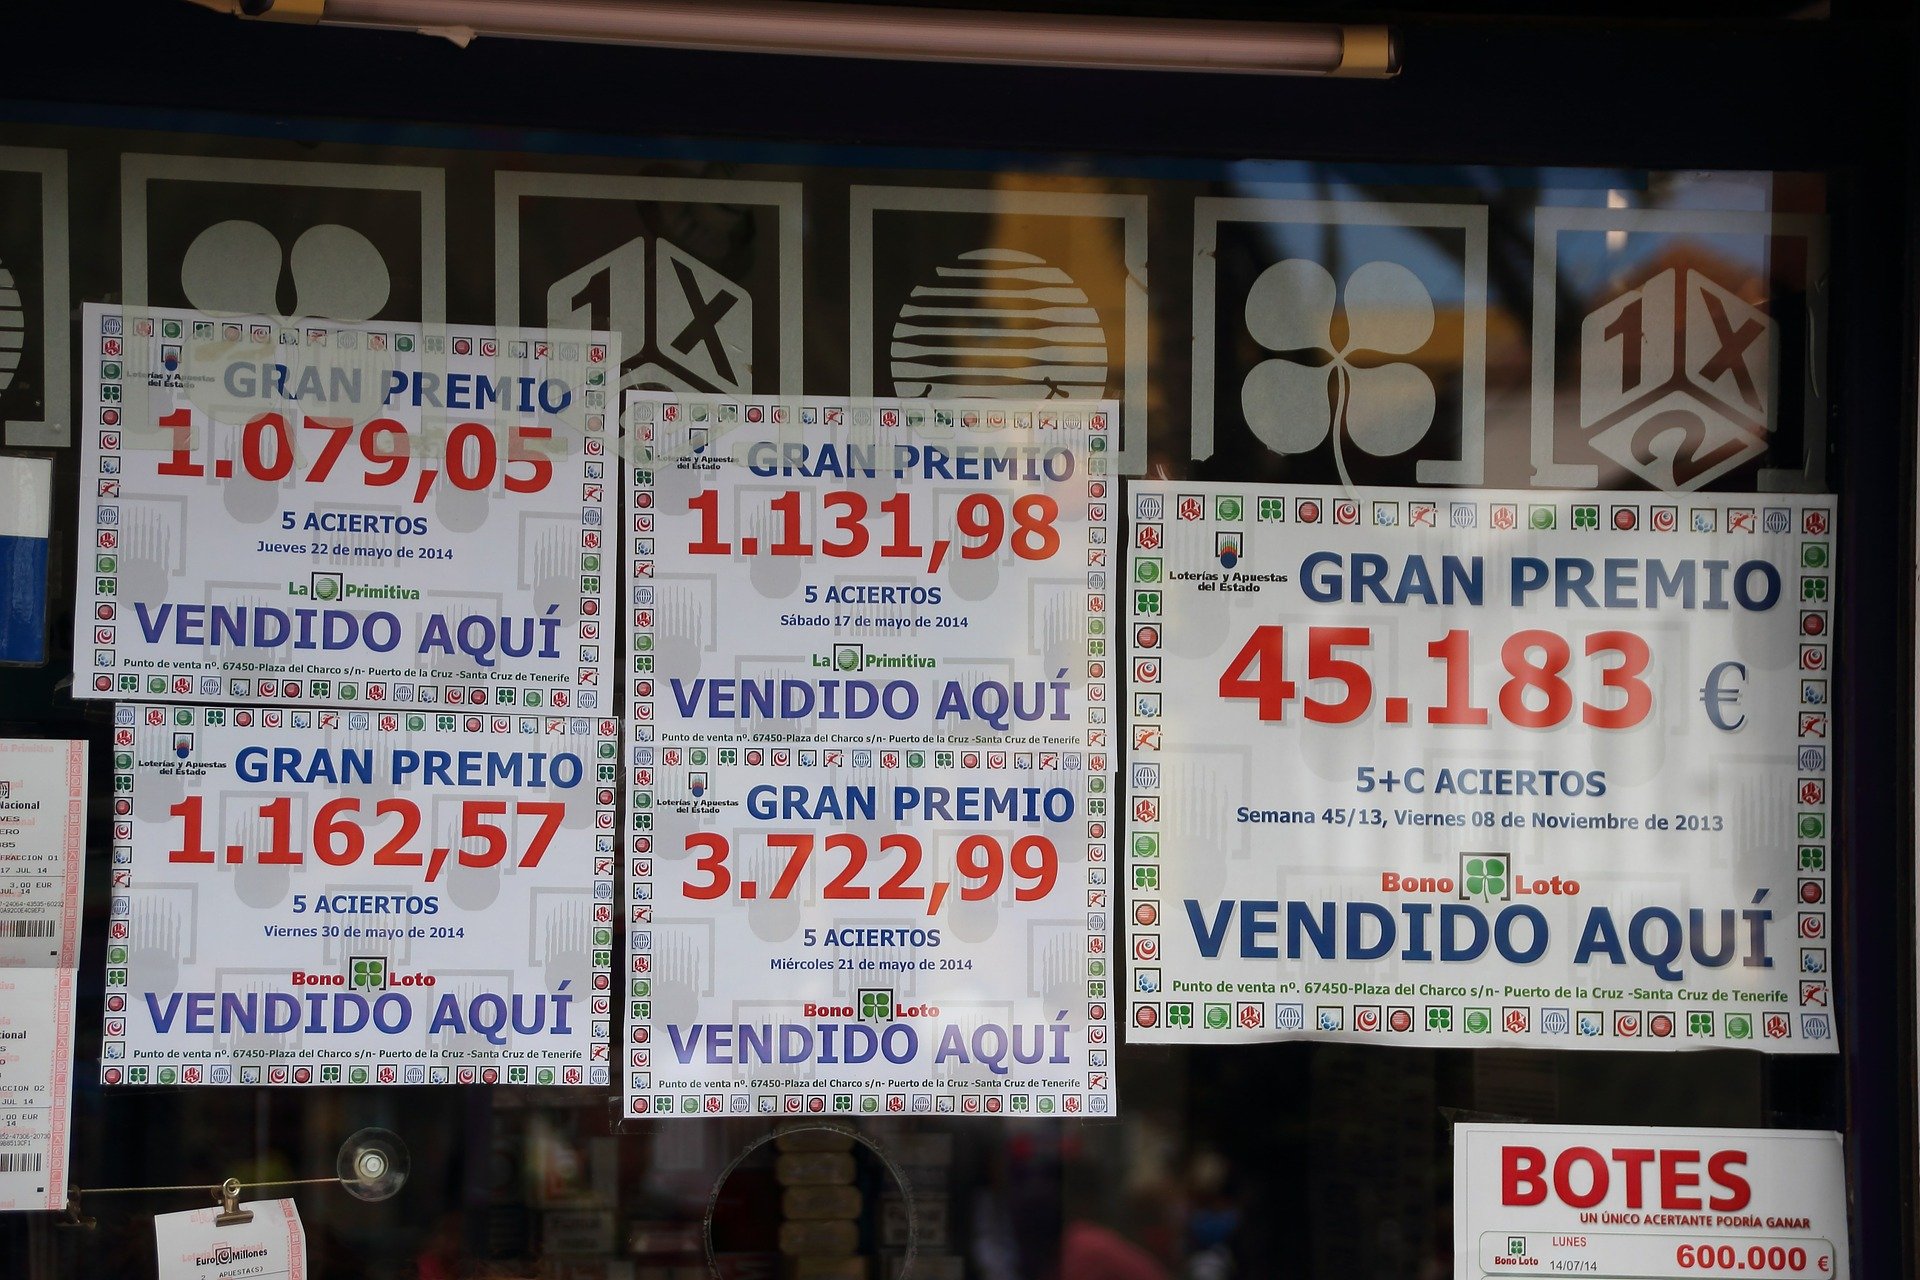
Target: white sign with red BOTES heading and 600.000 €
column 1648, row 1204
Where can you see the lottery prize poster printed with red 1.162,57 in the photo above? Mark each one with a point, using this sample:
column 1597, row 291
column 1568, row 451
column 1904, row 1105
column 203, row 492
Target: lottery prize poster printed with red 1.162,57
column 360, row 897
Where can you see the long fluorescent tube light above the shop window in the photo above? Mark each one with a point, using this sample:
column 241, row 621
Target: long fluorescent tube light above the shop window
column 876, row 32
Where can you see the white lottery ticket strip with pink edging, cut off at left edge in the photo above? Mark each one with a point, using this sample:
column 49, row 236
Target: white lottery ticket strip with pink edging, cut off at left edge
column 43, row 834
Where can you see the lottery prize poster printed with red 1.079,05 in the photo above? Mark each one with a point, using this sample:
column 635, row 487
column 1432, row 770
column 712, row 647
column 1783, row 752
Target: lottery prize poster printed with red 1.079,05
column 297, row 511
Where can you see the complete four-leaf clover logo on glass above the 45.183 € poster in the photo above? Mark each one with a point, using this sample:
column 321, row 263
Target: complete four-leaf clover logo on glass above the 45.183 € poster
column 1318, row 385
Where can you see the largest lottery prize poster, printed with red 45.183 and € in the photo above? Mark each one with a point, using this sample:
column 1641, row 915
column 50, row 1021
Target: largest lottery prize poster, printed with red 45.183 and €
column 1481, row 769
